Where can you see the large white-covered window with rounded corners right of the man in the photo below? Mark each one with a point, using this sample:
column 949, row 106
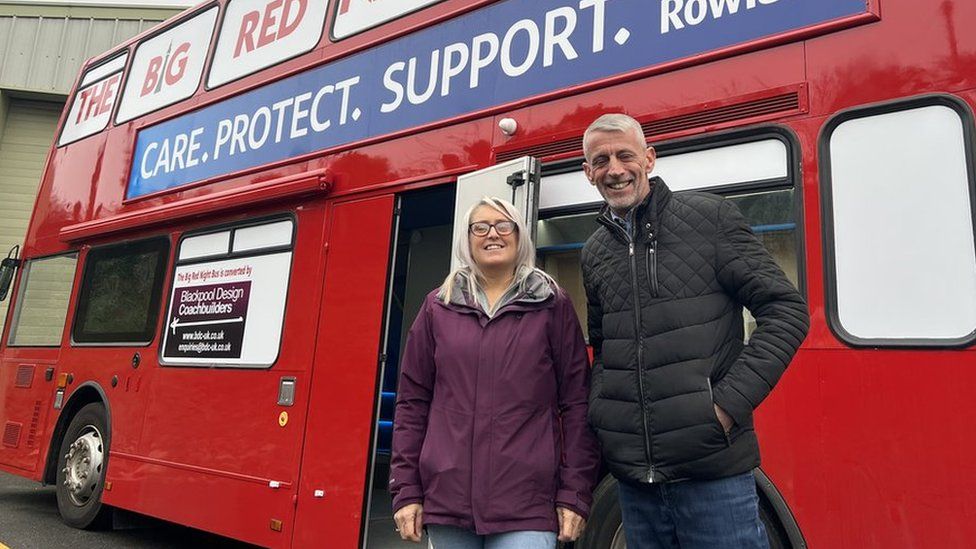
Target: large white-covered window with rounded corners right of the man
column 898, row 219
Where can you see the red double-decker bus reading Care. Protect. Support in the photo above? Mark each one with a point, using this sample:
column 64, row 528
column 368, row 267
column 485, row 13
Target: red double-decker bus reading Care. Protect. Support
column 244, row 207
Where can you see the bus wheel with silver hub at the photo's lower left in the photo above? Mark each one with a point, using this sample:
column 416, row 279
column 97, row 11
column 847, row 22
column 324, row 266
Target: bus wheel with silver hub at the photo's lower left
column 81, row 469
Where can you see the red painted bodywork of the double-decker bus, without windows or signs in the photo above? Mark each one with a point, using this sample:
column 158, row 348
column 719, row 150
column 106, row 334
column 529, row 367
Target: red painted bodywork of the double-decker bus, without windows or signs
column 870, row 448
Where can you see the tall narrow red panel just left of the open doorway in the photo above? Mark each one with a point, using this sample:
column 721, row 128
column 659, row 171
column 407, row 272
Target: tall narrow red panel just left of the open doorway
column 343, row 394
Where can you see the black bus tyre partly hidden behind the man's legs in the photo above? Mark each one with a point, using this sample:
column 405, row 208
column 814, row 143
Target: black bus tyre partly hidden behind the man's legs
column 605, row 530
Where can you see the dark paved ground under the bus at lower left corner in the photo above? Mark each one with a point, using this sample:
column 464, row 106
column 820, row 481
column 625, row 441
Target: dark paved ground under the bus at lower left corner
column 29, row 520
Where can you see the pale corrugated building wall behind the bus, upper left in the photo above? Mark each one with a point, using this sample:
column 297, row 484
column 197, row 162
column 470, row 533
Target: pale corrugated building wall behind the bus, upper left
column 42, row 48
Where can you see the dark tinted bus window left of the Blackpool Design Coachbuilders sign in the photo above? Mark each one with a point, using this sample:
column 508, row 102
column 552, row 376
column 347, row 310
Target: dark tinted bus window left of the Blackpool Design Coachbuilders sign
column 118, row 301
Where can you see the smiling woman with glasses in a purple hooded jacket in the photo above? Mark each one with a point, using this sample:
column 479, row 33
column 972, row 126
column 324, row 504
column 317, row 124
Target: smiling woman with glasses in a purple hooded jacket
column 490, row 442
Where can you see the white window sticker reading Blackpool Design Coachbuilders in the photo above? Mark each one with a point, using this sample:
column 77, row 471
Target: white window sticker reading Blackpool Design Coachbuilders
column 228, row 312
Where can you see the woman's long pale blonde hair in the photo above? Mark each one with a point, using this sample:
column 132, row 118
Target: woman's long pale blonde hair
column 524, row 254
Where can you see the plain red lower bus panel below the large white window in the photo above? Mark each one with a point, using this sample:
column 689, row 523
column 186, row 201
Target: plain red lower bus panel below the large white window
column 887, row 434
